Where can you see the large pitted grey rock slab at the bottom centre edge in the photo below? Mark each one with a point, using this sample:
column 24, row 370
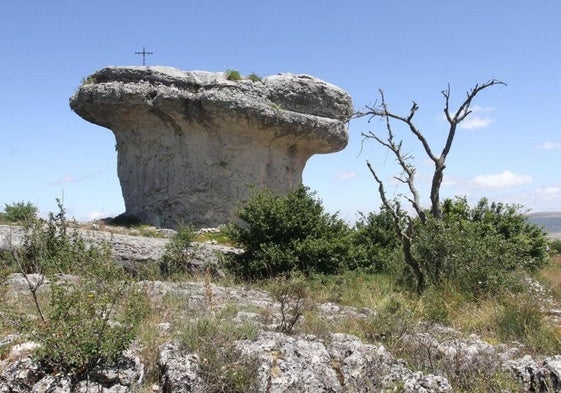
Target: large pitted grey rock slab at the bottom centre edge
column 307, row 364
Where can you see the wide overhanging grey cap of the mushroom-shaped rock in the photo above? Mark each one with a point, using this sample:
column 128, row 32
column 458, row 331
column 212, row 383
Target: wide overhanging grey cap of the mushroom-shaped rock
column 314, row 110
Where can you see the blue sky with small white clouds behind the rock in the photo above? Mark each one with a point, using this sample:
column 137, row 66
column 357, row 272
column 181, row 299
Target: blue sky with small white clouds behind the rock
column 509, row 150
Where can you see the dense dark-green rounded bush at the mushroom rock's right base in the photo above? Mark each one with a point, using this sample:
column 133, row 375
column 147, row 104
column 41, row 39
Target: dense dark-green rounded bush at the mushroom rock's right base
column 281, row 234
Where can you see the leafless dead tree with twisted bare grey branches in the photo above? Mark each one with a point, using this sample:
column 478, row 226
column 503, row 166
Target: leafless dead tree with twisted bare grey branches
column 403, row 222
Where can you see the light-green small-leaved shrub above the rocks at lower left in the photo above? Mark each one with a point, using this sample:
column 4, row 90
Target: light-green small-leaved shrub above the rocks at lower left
column 88, row 324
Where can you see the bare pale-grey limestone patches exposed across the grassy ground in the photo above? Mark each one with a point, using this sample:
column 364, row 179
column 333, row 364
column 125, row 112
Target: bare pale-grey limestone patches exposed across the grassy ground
column 283, row 362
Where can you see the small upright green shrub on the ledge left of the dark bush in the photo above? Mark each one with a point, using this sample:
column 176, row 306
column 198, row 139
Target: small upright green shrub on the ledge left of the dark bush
column 175, row 259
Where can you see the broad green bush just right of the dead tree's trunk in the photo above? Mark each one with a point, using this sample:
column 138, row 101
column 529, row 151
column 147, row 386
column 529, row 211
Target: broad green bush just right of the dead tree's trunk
column 480, row 249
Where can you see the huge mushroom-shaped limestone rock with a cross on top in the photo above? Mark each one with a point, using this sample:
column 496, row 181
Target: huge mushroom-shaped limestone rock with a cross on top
column 191, row 144
